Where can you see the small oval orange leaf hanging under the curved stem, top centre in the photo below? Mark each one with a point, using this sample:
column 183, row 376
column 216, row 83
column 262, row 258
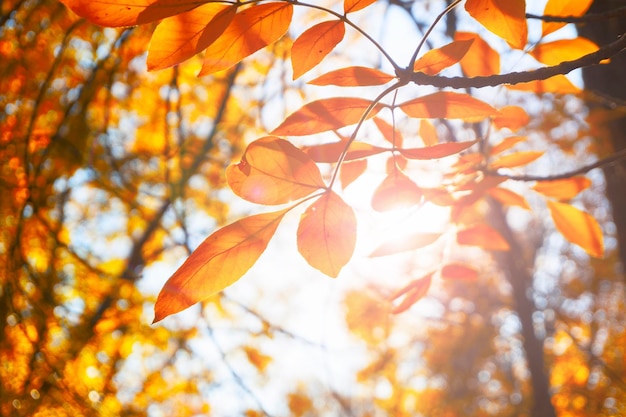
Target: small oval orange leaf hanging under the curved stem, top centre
column 314, row 44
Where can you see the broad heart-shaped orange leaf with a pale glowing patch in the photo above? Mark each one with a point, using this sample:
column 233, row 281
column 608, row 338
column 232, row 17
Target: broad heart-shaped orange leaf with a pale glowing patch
column 273, row 171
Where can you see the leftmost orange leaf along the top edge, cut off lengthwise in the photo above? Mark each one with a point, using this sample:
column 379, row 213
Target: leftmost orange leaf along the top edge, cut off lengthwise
column 129, row 12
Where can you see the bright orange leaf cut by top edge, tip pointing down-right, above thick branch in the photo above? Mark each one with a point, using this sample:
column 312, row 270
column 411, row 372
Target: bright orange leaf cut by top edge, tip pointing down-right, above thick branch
column 505, row 18
